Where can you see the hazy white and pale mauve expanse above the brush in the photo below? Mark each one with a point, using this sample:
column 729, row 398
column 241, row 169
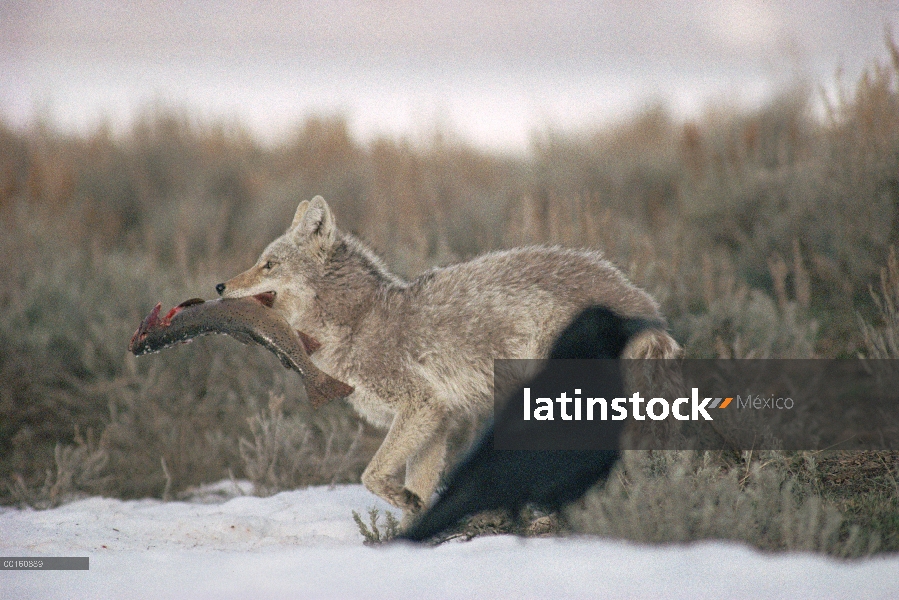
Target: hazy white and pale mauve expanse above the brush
column 491, row 71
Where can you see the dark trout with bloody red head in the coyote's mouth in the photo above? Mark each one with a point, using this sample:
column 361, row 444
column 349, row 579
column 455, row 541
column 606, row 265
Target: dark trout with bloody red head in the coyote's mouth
column 249, row 319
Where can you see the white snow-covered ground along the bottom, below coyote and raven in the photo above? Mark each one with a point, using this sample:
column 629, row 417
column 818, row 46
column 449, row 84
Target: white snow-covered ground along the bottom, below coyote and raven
column 304, row 544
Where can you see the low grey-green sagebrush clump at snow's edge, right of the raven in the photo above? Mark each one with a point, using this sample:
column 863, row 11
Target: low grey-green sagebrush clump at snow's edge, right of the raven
column 767, row 502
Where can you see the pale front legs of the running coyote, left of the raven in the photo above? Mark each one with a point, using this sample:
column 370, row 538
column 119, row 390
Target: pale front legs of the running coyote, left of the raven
column 413, row 434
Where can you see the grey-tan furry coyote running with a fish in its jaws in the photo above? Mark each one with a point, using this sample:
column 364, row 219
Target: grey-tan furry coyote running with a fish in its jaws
column 420, row 353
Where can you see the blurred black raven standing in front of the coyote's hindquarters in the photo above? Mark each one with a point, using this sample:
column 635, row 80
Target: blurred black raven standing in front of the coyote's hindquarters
column 489, row 479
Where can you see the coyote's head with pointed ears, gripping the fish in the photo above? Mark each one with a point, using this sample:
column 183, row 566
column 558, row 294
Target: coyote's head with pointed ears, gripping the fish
column 292, row 264
